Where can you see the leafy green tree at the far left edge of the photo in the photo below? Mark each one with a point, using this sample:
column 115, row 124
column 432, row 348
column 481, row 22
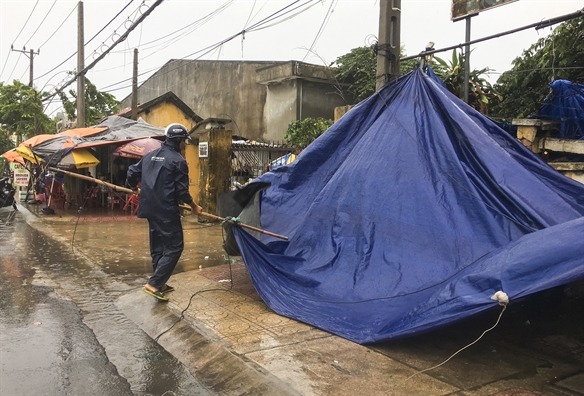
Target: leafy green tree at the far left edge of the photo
column 21, row 111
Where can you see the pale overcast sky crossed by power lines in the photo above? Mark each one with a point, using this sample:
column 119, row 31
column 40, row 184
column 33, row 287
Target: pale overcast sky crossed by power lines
column 185, row 29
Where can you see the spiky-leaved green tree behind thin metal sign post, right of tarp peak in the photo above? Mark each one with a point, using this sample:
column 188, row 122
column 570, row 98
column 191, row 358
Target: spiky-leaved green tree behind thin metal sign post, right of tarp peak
column 481, row 93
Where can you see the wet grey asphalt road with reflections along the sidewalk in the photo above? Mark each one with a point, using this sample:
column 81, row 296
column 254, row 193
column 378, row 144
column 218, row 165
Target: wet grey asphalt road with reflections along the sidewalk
column 60, row 332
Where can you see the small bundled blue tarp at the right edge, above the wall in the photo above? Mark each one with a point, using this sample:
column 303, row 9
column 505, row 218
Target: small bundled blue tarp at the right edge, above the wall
column 565, row 104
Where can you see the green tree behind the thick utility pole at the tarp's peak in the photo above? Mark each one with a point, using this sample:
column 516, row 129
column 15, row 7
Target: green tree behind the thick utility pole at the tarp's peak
column 358, row 68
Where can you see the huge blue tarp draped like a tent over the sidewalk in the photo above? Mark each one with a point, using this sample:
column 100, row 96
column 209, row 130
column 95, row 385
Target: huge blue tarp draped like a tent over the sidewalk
column 409, row 213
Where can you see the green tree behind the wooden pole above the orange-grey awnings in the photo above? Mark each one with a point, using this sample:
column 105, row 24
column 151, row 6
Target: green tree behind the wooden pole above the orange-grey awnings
column 97, row 104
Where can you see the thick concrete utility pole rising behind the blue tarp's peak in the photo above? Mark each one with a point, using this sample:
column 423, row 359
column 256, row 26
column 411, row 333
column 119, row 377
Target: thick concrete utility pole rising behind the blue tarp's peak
column 388, row 45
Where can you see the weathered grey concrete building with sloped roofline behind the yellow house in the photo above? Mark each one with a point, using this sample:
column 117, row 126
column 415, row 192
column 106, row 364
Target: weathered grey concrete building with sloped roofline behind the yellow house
column 261, row 98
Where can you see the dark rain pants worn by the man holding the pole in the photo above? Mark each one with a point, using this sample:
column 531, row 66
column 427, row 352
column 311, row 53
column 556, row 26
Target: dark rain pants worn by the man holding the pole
column 166, row 246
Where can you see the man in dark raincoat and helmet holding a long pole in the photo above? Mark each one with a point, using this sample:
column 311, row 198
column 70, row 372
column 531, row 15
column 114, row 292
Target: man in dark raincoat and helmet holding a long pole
column 164, row 180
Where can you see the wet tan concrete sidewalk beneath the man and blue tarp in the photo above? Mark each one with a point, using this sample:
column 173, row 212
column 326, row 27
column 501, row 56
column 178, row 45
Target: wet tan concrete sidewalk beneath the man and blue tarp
column 234, row 344
